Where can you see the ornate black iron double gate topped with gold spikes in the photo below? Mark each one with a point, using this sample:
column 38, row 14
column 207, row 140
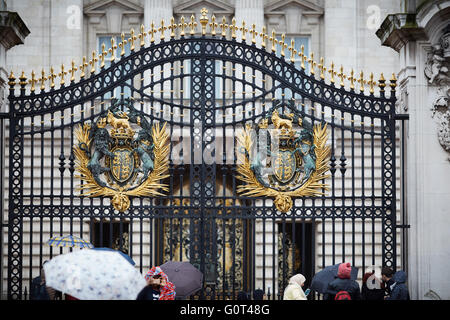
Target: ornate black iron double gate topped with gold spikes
column 208, row 88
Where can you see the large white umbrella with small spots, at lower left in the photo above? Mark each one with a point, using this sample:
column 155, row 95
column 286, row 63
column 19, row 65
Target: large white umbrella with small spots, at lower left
column 94, row 275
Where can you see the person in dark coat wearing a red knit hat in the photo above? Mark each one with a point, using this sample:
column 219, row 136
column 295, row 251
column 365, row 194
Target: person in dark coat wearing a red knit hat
column 343, row 282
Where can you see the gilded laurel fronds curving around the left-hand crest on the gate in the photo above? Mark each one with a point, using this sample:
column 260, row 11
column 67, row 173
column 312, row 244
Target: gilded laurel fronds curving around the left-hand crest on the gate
column 120, row 193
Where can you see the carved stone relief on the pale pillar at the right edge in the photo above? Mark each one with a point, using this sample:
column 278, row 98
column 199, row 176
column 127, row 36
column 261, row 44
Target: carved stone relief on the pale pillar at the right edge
column 437, row 70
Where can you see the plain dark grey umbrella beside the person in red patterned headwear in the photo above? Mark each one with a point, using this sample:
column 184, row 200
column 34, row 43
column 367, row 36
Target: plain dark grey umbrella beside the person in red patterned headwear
column 186, row 278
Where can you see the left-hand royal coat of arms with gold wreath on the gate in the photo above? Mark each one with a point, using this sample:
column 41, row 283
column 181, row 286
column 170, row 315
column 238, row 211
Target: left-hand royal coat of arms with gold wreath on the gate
column 120, row 163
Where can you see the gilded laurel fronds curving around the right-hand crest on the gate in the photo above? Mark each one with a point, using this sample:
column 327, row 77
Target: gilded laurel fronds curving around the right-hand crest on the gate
column 313, row 186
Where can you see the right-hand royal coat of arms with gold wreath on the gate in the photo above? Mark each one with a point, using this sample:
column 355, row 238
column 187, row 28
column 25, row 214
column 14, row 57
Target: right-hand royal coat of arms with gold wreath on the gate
column 283, row 156
